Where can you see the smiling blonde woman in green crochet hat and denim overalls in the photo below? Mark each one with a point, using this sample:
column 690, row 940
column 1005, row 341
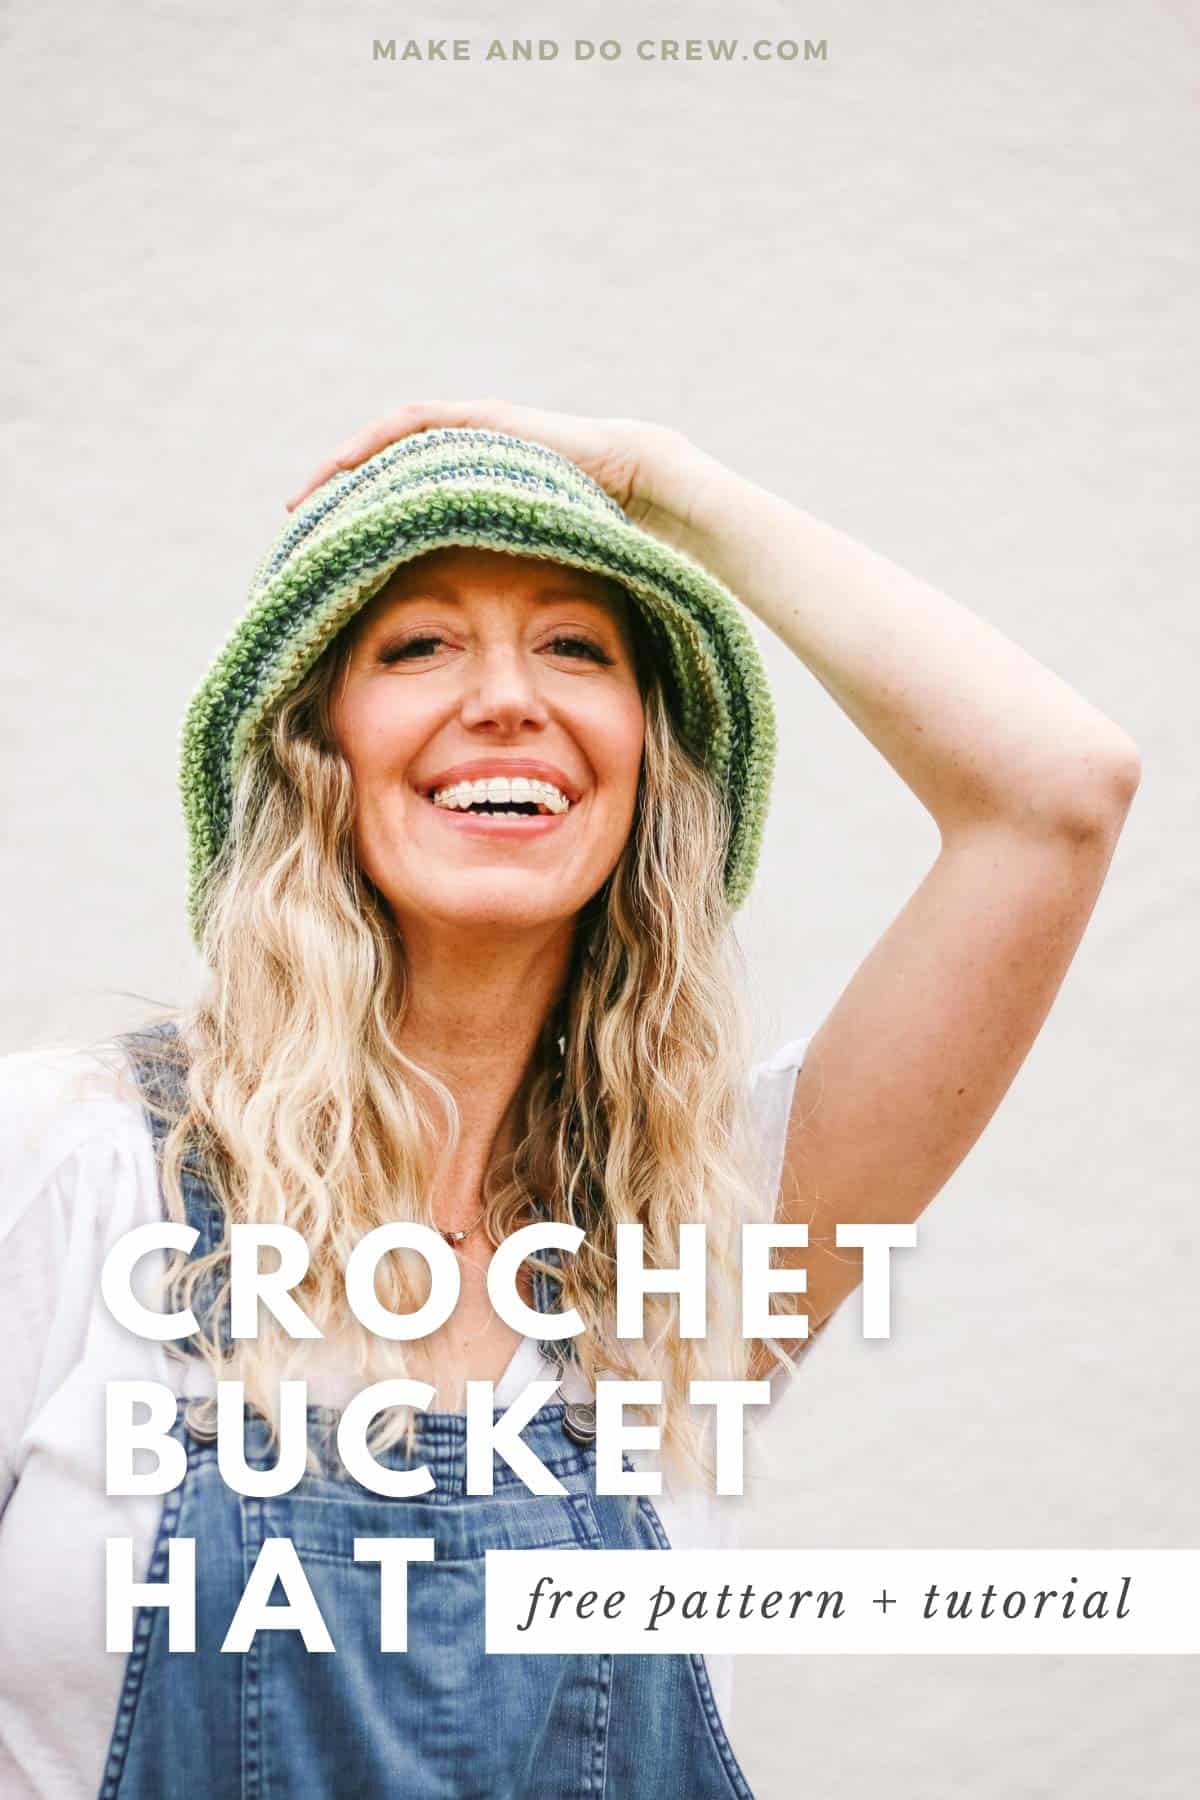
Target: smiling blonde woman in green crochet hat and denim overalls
column 478, row 1007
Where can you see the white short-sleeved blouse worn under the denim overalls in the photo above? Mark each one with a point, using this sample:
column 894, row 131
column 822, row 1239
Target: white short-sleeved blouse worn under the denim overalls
column 78, row 1173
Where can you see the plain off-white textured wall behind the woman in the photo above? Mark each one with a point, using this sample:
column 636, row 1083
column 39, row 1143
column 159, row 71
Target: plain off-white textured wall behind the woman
column 942, row 292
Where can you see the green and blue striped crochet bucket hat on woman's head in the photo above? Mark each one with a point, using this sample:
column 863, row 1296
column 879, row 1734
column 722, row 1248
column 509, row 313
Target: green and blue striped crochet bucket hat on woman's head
column 461, row 487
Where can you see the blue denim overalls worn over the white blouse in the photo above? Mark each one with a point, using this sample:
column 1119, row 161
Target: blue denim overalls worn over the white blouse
column 442, row 1720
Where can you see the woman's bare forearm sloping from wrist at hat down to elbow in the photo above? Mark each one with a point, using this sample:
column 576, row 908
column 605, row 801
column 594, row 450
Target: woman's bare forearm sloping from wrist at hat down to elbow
column 971, row 723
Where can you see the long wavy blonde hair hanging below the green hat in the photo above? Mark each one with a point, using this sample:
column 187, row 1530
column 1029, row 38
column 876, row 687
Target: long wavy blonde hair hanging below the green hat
column 307, row 1111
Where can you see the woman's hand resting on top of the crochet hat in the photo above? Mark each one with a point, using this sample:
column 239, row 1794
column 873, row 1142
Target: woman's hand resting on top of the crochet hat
column 620, row 454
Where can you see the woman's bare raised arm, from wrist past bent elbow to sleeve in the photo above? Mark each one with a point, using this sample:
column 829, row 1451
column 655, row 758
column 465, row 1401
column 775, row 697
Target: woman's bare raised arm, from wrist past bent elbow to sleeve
column 1028, row 786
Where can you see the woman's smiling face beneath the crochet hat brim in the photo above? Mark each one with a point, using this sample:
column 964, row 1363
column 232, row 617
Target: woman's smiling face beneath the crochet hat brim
column 476, row 665
